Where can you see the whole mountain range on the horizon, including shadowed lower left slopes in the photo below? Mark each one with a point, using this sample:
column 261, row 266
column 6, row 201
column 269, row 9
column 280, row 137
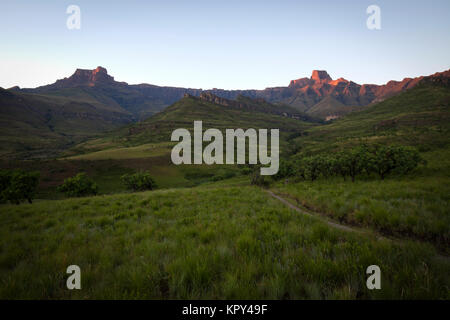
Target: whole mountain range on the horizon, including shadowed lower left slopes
column 42, row 121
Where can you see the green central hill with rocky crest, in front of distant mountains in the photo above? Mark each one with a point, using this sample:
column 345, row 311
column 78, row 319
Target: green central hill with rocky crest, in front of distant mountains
column 215, row 112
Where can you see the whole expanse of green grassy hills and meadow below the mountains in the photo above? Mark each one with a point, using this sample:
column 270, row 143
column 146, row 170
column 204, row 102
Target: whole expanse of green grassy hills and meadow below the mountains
column 221, row 237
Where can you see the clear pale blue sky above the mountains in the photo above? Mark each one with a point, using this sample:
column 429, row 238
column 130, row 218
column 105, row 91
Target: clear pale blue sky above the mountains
column 222, row 44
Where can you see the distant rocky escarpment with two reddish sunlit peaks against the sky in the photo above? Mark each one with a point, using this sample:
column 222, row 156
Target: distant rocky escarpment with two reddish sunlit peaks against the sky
column 304, row 94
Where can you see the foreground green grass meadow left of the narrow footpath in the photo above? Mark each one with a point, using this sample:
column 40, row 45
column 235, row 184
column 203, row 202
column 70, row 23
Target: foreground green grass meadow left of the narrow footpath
column 205, row 243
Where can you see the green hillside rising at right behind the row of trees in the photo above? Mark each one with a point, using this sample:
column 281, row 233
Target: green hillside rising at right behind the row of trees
column 418, row 117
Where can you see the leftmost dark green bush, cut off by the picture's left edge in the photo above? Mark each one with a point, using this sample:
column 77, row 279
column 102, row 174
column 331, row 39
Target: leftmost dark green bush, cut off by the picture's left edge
column 18, row 185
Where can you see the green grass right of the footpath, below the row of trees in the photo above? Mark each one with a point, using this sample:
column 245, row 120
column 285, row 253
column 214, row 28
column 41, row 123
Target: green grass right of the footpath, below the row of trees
column 416, row 205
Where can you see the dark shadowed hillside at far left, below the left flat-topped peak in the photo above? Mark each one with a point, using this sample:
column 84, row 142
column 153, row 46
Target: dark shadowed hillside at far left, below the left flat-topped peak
column 37, row 125
